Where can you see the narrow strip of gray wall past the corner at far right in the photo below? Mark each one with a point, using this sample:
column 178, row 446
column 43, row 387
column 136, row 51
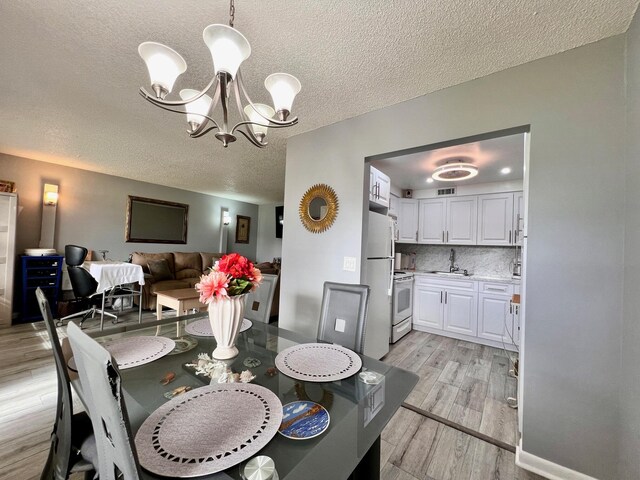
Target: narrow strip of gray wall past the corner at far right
column 630, row 392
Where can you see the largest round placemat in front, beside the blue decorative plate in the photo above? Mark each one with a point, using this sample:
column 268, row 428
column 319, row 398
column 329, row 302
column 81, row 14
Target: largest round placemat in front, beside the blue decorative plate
column 208, row 429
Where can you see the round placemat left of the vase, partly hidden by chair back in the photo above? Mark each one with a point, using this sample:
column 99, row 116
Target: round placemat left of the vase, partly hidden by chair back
column 131, row 352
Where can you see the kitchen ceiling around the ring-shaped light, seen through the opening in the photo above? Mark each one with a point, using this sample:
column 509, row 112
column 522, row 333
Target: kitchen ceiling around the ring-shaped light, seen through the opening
column 490, row 156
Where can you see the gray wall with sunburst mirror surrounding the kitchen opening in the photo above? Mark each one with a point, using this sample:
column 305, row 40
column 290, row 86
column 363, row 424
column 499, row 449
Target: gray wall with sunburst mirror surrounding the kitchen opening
column 574, row 103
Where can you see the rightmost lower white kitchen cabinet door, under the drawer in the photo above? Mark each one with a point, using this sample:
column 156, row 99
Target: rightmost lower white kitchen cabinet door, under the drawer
column 495, row 320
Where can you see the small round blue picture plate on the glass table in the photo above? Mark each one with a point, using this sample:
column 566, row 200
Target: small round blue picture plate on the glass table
column 303, row 420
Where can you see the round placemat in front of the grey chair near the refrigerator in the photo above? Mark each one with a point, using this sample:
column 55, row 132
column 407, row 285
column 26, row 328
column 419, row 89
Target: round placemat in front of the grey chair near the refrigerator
column 318, row 362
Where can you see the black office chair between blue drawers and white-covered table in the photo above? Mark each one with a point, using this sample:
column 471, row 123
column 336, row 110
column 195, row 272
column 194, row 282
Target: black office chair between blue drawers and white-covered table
column 83, row 284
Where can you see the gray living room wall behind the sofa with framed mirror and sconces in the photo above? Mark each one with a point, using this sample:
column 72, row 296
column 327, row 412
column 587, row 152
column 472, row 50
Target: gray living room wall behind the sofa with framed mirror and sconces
column 92, row 209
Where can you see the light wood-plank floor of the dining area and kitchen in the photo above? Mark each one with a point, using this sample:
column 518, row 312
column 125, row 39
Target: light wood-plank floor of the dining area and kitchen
column 413, row 447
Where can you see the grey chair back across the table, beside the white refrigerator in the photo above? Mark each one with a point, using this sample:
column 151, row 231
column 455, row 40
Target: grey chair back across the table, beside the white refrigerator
column 343, row 315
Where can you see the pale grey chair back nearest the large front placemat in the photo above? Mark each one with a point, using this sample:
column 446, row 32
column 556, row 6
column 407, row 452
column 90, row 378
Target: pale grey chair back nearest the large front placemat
column 101, row 384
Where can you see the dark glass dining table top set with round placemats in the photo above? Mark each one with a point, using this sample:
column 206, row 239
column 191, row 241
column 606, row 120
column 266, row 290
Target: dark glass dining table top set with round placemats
column 359, row 410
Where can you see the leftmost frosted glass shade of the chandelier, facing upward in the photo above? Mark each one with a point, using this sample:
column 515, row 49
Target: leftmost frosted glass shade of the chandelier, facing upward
column 164, row 64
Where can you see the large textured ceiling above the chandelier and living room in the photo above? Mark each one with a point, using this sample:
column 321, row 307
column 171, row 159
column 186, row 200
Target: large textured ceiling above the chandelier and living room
column 70, row 72
